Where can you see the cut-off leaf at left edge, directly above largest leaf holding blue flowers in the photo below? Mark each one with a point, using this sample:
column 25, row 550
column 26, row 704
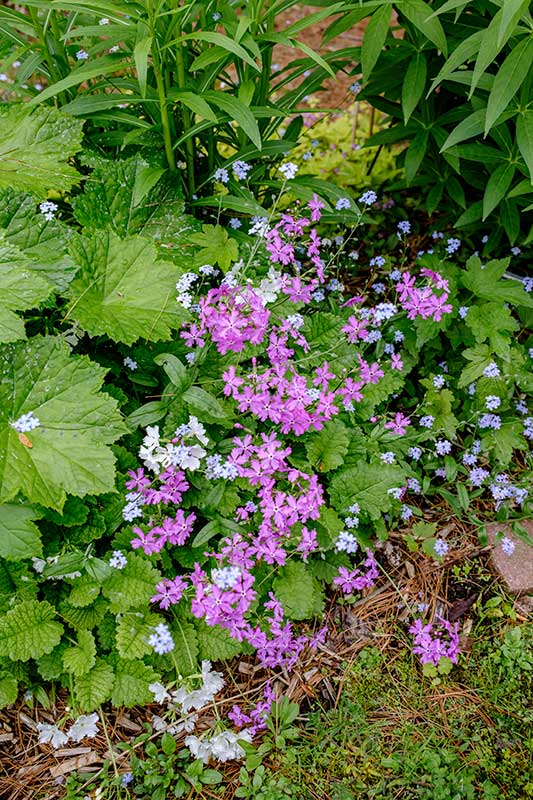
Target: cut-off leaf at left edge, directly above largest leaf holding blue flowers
column 20, row 289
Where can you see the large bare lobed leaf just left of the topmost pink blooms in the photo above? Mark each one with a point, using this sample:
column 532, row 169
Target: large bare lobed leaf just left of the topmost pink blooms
column 111, row 294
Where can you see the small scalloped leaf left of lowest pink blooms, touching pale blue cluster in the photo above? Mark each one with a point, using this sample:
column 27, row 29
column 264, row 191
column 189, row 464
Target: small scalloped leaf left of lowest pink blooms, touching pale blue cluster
column 132, row 586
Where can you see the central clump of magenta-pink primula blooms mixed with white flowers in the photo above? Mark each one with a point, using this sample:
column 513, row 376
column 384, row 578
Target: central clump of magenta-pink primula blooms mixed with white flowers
column 286, row 382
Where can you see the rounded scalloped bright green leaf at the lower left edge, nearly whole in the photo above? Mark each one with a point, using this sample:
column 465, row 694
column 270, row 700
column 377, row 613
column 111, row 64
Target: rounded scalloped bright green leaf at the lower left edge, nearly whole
column 29, row 630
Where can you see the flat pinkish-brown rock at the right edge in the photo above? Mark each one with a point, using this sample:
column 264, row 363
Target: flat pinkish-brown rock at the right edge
column 517, row 568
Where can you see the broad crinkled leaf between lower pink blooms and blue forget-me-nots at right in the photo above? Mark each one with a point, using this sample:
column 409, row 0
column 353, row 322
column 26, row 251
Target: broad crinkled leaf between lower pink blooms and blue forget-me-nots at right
column 368, row 485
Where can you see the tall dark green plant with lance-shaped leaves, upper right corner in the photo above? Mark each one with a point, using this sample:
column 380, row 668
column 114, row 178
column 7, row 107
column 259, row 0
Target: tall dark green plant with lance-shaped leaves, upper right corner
column 457, row 84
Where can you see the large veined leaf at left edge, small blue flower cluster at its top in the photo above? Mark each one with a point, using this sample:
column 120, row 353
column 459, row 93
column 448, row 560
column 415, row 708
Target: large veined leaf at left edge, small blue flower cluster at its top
column 43, row 241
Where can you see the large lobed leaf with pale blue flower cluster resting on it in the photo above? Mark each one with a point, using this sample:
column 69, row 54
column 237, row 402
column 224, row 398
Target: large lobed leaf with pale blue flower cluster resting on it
column 68, row 452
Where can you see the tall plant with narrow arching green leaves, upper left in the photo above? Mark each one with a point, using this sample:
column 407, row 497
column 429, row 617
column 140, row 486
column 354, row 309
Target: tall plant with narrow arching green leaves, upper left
column 193, row 77
